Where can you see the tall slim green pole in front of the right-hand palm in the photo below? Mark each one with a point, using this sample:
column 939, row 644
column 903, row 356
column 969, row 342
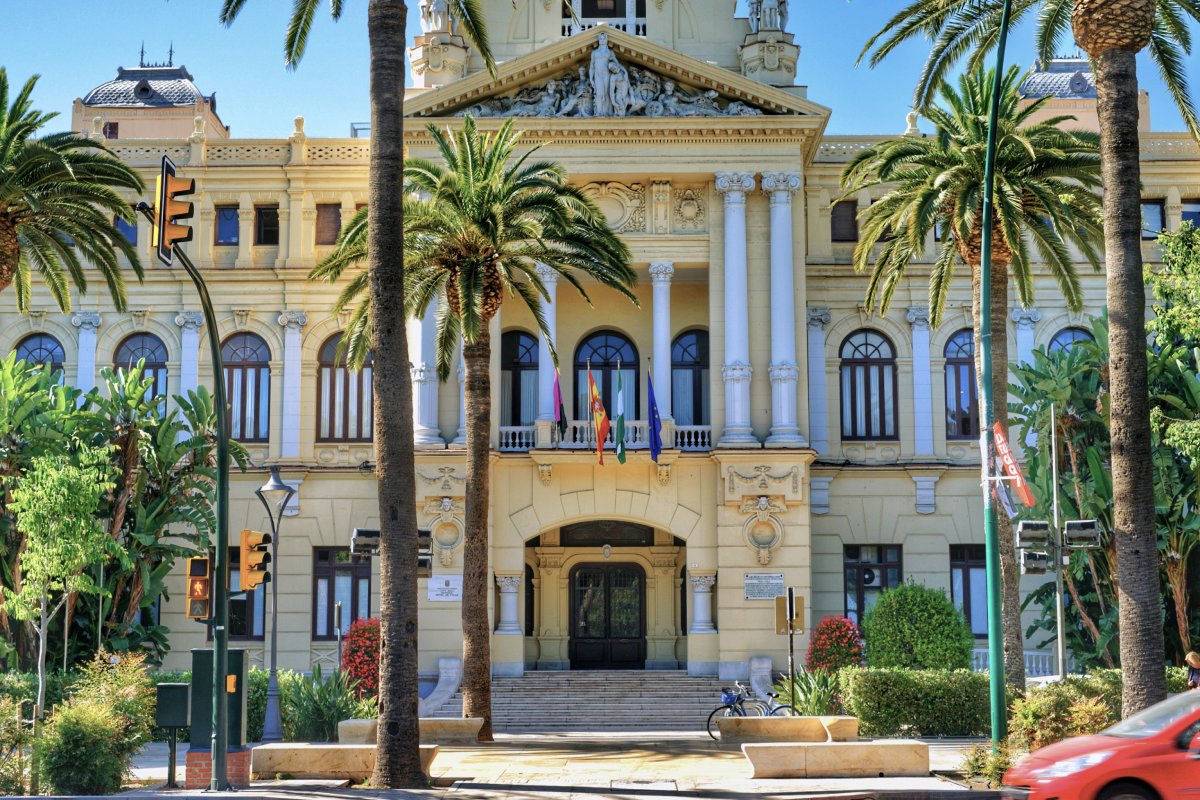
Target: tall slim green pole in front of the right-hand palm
column 991, row 533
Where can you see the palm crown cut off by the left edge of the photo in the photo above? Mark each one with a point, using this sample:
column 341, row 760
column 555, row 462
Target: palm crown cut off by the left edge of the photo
column 58, row 202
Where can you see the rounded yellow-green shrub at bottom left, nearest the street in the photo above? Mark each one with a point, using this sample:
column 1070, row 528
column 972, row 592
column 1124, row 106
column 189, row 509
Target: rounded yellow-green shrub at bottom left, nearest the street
column 79, row 753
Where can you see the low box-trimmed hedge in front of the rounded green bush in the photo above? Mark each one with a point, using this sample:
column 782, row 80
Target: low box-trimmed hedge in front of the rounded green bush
column 917, row 702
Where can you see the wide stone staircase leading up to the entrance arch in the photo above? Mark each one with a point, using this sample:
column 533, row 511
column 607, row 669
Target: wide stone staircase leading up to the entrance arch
column 599, row 701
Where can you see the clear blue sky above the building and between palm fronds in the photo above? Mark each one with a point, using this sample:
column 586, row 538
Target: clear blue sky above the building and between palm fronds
column 76, row 45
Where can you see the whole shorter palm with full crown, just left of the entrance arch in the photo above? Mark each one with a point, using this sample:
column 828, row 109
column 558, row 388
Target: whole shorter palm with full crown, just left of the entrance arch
column 479, row 236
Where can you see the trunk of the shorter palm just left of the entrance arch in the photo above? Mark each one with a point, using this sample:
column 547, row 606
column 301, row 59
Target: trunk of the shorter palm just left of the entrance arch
column 477, row 631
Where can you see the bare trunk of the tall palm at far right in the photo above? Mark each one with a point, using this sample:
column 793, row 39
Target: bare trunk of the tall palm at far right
column 1139, row 600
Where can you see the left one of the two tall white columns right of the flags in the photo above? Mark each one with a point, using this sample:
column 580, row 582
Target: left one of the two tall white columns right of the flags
column 736, row 371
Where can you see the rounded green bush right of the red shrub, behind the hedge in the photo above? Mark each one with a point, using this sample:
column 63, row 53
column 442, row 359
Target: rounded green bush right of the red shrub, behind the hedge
column 917, row 628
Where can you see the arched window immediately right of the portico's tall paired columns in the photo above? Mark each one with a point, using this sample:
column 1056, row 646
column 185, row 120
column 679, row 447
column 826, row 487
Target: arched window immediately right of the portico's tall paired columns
column 868, row 387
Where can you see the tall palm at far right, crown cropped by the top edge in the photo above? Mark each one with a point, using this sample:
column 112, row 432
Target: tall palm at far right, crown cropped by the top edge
column 1112, row 33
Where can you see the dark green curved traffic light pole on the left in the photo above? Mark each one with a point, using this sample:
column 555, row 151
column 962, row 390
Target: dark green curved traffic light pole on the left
column 219, row 780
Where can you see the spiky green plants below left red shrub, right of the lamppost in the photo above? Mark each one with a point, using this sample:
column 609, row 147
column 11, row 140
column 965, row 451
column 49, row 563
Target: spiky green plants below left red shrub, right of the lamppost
column 313, row 706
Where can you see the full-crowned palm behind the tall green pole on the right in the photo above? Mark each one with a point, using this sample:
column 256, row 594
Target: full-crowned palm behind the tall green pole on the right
column 1046, row 182
